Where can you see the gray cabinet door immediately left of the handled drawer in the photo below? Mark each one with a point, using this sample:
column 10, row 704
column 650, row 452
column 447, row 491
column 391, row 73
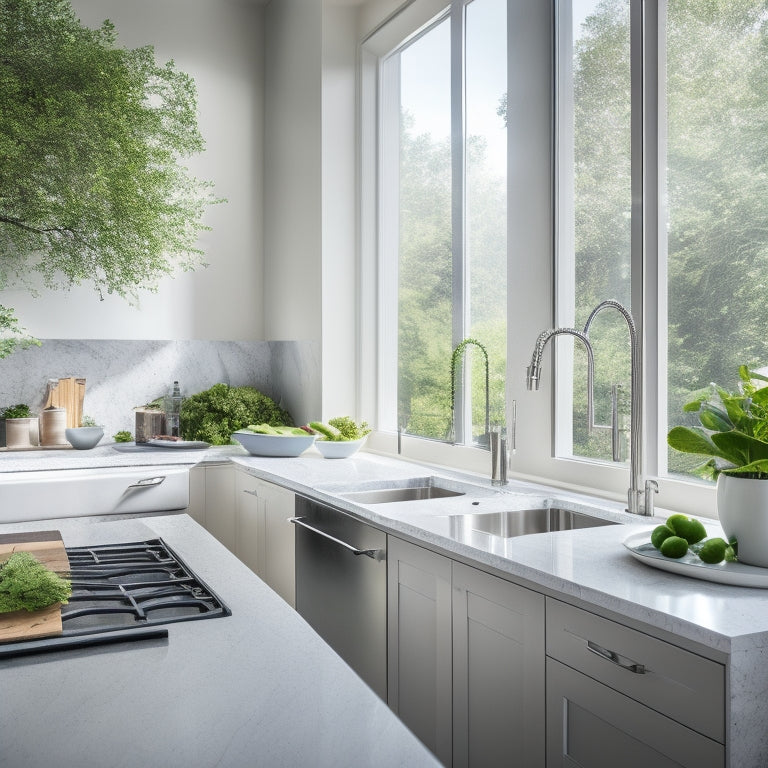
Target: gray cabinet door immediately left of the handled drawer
column 498, row 672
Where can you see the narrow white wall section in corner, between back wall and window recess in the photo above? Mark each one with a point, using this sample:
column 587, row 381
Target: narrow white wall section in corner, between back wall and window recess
column 292, row 170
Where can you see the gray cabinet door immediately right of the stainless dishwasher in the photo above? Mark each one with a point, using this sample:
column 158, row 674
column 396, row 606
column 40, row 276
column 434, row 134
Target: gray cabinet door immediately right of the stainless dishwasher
column 419, row 647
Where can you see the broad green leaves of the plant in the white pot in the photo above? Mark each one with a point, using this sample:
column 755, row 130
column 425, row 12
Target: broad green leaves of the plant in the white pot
column 733, row 429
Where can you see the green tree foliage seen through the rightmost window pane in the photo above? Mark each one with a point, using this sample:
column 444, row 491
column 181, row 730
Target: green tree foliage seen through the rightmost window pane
column 718, row 192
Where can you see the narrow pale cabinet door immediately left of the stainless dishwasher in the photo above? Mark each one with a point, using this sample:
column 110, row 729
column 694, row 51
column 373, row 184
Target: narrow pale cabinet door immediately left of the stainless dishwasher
column 279, row 560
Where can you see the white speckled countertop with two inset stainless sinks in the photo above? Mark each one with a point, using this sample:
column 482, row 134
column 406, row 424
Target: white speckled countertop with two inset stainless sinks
column 590, row 565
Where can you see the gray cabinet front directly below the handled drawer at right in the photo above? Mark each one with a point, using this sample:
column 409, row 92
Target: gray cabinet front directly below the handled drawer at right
column 593, row 726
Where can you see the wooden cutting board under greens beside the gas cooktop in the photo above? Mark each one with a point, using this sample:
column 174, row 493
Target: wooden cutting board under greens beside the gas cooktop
column 48, row 548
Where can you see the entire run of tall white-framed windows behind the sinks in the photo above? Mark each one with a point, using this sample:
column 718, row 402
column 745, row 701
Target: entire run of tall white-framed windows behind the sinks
column 637, row 171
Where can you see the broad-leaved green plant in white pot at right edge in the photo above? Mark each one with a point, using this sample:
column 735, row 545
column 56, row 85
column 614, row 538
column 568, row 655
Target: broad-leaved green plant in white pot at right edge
column 733, row 435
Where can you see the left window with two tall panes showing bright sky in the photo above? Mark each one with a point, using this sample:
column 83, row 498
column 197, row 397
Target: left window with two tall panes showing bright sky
column 443, row 248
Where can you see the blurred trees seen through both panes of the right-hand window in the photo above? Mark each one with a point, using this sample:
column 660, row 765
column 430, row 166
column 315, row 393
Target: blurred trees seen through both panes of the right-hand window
column 708, row 312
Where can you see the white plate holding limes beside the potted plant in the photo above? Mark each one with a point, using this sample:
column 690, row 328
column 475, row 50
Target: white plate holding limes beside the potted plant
column 735, row 574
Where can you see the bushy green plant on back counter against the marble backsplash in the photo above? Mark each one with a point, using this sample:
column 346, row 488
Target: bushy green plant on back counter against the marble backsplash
column 214, row 414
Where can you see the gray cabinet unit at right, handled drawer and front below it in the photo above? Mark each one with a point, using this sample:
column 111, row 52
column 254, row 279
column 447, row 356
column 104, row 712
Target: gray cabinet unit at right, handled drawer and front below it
column 616, row 696
